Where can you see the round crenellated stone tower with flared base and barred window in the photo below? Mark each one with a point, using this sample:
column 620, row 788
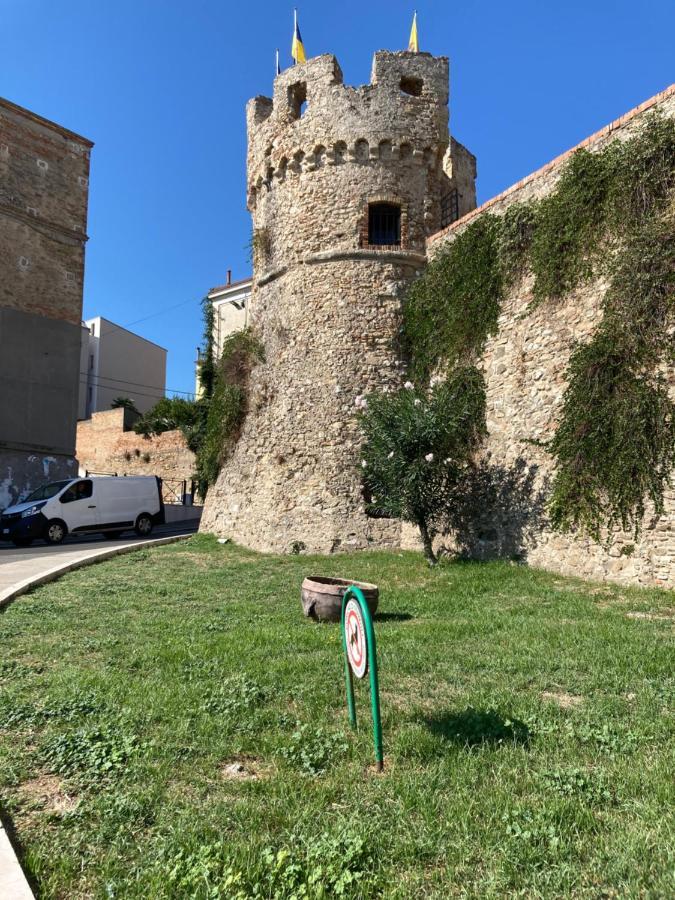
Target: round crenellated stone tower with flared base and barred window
column 344, row 186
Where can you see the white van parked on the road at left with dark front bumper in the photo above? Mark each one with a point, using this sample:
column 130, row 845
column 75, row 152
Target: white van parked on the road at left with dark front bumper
column 84, row 505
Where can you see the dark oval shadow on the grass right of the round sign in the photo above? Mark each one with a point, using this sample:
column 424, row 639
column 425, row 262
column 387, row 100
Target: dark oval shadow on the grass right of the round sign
column 478, row 727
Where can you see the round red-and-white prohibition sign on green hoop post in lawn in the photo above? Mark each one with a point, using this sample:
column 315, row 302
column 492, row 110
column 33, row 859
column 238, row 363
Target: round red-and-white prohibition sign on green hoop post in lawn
column 358, row 641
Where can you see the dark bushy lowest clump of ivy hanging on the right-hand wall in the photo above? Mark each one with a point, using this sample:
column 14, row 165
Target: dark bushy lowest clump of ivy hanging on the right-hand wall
column 615, row 443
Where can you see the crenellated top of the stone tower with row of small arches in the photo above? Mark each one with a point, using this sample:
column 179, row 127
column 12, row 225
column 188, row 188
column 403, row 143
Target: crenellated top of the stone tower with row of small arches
column 314, row 119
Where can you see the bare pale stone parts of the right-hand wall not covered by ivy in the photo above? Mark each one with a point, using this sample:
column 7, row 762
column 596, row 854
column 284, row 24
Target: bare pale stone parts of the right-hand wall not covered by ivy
column 524, row 367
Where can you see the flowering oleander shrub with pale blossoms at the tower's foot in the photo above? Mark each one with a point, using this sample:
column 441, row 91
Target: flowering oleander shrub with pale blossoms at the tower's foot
column 417, row 446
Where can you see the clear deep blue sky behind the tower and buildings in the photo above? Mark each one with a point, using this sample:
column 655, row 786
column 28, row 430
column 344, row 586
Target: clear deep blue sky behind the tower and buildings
column 161, row 85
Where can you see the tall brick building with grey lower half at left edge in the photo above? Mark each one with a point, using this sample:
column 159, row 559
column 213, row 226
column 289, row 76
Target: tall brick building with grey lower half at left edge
column 44, row 184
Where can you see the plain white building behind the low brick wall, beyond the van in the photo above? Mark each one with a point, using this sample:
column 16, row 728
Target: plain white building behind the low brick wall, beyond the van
column 118, row 363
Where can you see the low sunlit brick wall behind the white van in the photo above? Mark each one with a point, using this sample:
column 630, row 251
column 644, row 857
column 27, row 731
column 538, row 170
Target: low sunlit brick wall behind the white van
column 104, row 446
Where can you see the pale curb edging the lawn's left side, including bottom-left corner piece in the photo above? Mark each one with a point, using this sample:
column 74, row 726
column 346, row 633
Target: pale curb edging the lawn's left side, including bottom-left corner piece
column 13, row 883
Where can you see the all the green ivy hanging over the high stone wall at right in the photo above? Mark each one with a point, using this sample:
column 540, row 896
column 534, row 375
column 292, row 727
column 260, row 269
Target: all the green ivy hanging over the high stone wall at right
column 610, row 214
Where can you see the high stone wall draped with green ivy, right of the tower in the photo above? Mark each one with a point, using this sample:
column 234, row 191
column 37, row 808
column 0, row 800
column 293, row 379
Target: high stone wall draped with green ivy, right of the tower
column 561, row 290
